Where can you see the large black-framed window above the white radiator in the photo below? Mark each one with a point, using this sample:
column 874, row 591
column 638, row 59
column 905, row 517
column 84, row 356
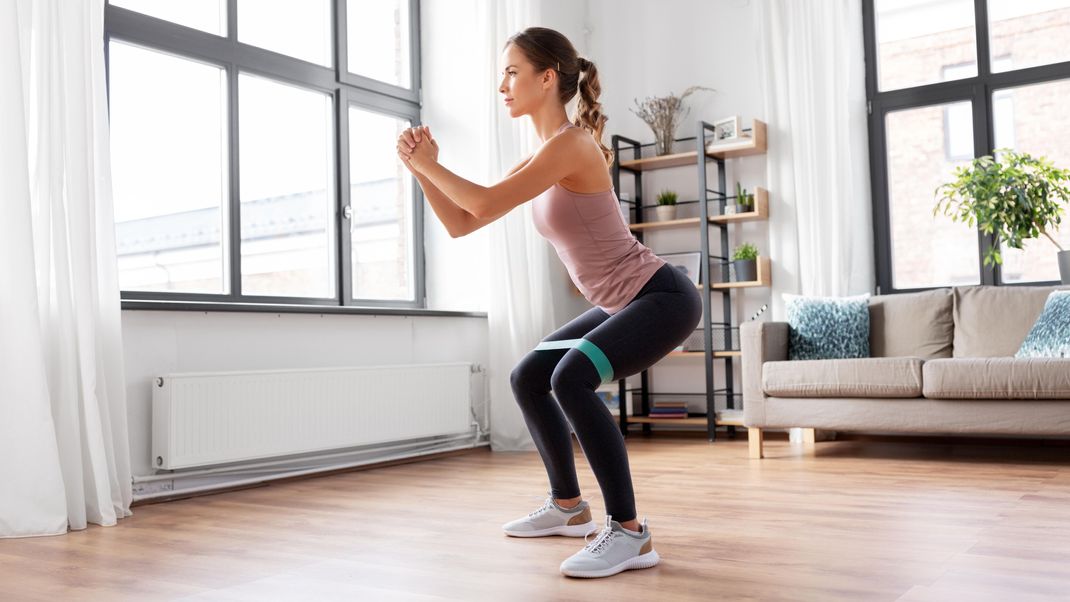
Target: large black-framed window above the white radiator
column 253, row 148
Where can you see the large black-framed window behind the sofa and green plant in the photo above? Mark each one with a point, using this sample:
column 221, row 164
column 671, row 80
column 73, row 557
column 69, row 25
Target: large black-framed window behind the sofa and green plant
column 950, row 81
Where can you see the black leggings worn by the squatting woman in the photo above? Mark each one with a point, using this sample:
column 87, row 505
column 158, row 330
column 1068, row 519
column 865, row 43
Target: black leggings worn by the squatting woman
column 662, row 316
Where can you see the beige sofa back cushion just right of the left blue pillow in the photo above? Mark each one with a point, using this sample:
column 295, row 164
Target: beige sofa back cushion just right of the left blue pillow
column 912, row 325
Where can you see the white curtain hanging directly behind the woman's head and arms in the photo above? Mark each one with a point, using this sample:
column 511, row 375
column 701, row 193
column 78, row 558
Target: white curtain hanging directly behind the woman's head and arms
column 521, row 310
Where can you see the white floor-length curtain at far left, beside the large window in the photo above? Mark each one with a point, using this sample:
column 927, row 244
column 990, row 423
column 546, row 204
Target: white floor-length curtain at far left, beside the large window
column 65, row 455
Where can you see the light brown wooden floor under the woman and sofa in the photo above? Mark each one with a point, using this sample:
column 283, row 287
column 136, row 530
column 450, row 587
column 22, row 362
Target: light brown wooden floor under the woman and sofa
column 857, row 520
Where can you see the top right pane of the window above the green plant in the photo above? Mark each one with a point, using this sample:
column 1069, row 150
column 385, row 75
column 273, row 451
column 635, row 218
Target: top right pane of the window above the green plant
column 1031, row 33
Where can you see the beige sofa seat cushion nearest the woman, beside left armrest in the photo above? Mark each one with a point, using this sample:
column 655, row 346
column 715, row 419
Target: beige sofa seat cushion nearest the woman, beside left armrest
column 866, row 377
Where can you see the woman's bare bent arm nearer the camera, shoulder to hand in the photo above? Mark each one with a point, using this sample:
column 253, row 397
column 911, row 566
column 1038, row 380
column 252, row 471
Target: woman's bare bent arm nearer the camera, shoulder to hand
column 551, row 164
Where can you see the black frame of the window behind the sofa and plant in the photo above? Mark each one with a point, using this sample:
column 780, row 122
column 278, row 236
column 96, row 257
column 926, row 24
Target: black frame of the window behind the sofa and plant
column 979, row 91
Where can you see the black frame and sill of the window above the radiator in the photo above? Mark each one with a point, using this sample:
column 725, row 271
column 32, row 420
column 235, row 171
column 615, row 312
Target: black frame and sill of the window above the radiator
column 346, row 89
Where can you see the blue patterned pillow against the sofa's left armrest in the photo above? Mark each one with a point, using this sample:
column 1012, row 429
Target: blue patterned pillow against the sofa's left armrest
column 828, row 328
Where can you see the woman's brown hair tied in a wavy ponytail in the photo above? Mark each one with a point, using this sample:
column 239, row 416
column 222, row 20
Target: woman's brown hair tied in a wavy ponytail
column 548, row 50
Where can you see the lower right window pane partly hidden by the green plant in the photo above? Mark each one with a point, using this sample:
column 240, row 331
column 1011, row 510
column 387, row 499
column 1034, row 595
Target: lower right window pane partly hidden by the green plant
column 1033, row 119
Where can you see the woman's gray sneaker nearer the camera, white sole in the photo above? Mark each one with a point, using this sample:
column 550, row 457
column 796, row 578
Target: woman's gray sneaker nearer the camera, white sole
column 614, row 551
